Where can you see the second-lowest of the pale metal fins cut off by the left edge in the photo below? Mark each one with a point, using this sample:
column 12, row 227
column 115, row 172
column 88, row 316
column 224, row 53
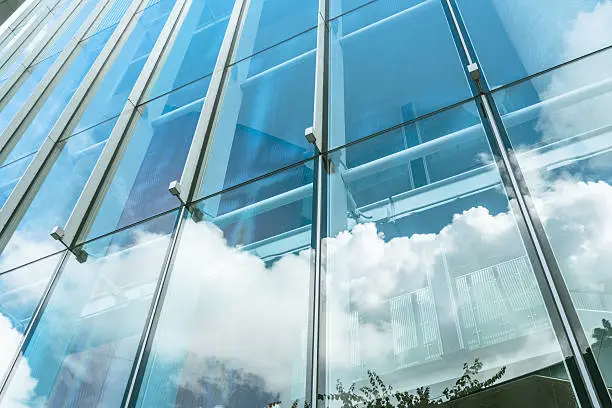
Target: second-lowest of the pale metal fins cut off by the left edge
column 28, row 111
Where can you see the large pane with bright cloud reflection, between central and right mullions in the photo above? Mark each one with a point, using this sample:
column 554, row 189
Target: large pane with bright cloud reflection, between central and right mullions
column 421, row 279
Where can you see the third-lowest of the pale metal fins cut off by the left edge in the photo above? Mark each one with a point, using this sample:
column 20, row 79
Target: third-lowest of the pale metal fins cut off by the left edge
column 11, row 85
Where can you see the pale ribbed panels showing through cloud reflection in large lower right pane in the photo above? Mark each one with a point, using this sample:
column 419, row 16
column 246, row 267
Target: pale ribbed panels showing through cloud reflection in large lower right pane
column 495, row 306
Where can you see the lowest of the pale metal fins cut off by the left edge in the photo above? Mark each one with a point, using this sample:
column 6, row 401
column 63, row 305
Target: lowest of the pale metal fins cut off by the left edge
column 27, row 187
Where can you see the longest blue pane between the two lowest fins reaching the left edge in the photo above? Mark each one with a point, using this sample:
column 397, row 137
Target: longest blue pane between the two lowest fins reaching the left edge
column 40, row 125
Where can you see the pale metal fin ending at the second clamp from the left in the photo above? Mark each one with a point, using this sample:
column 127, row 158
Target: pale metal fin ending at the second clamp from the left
column 199, row 151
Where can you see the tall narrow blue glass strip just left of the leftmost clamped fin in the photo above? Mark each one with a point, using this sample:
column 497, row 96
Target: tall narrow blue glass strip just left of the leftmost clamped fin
column 75, row 155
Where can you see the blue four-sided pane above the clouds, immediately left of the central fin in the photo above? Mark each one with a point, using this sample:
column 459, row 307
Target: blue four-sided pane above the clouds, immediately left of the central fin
column 267, row 105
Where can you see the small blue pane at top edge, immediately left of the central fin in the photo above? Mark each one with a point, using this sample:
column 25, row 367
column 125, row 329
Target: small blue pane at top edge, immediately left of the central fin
column 270, row 22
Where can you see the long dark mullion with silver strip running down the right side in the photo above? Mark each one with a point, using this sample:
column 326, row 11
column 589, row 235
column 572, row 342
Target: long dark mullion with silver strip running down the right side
column 588, row 378
